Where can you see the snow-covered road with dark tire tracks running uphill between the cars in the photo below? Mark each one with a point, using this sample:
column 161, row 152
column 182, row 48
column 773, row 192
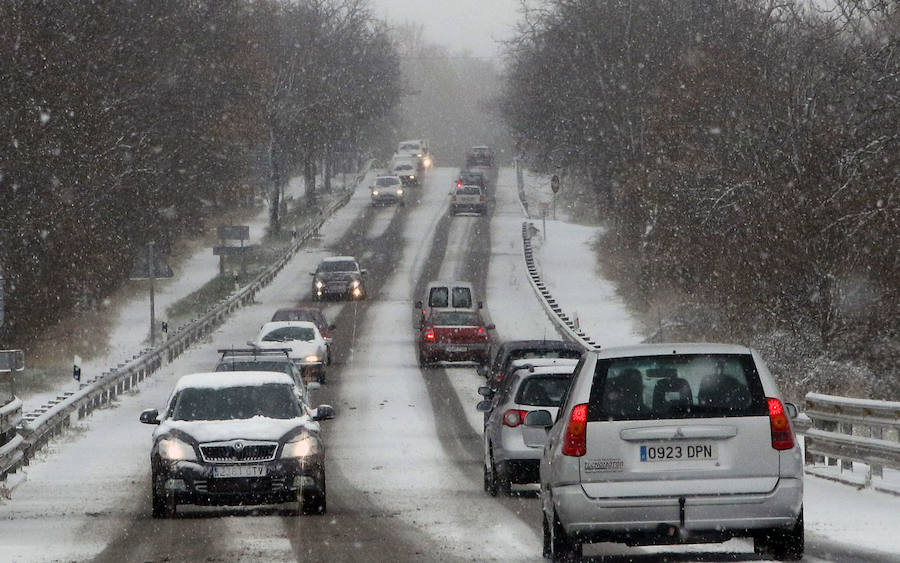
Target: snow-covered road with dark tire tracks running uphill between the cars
column 404, row 468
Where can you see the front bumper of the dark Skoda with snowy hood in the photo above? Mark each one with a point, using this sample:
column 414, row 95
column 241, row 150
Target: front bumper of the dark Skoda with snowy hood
column 194, row 483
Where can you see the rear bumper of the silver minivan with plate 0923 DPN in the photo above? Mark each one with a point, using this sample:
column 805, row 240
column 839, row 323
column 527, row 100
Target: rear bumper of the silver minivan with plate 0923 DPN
column 652, row 519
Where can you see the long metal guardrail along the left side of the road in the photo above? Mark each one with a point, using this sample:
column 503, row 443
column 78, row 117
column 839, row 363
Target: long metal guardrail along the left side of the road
column 37, row 428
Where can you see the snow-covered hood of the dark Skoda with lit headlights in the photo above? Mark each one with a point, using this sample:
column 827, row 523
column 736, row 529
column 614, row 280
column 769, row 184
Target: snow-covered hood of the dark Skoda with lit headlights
column 256, row 428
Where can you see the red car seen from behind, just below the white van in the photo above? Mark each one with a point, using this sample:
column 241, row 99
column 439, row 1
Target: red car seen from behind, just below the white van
column 453, row 336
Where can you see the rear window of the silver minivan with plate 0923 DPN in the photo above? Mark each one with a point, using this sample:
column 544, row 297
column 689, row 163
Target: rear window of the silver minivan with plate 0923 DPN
column 676, row 386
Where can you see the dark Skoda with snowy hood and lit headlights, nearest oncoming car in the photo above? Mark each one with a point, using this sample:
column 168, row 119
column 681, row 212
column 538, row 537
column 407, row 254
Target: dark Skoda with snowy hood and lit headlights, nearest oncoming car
column 237, row 438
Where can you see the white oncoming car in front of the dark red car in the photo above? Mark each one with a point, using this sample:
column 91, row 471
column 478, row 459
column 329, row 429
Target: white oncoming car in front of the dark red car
column 307, row 347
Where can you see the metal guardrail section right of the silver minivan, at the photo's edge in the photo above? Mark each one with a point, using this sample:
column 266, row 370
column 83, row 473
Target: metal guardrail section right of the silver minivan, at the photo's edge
column 841, row 430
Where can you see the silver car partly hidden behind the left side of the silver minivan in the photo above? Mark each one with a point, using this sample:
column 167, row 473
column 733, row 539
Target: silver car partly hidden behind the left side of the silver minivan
column 512, row 451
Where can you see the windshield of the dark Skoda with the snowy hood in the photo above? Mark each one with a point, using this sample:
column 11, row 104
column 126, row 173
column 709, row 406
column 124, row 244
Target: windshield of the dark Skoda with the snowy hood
column 233, row 403
